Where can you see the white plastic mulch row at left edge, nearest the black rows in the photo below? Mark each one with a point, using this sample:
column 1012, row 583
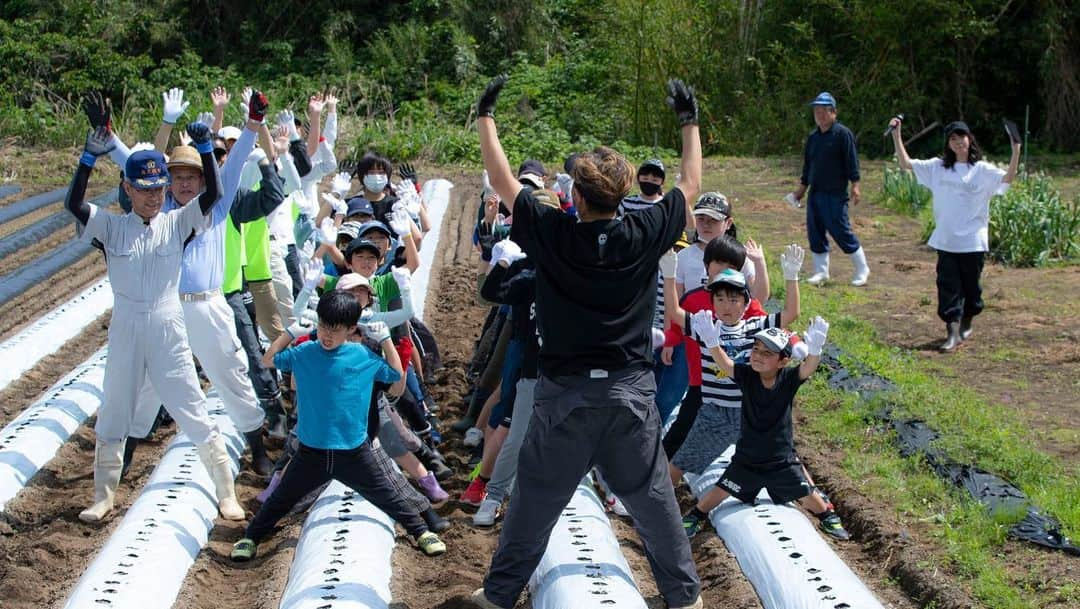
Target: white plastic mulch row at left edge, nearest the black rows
column 51, row 332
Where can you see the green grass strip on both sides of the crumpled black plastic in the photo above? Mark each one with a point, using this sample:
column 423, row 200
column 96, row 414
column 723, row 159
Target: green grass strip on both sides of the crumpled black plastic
column 973, row 431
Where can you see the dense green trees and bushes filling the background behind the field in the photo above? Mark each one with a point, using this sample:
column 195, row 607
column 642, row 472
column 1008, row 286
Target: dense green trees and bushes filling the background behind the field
column 583, row 72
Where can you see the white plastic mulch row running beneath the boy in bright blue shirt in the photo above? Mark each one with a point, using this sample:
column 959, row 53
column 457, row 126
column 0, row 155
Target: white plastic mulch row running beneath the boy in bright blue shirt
column 343, row 559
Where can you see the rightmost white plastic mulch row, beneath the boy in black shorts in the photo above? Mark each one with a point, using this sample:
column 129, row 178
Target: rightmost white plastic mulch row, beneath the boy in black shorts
column 782, row 553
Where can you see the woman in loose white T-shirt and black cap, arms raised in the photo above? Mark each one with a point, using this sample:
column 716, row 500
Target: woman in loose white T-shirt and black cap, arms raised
column 963, row 186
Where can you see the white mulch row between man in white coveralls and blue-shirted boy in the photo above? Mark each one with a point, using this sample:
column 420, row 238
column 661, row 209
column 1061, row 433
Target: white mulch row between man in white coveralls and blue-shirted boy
column 146, row 559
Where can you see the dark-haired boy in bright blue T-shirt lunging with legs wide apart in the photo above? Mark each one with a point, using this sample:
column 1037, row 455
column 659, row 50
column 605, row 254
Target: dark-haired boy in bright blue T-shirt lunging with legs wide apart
column 334, row 381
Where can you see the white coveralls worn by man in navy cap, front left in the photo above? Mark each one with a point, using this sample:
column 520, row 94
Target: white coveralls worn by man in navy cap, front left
column 147, row 334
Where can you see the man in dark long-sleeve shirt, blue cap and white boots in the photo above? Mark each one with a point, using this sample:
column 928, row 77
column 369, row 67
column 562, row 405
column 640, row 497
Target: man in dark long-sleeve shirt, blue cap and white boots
column 830, row 161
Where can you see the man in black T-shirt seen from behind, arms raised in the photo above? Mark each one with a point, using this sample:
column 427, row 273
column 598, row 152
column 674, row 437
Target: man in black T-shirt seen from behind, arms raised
column 596, row 294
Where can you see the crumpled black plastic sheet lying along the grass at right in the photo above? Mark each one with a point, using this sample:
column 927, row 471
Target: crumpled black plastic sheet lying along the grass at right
column 1000, row 496
